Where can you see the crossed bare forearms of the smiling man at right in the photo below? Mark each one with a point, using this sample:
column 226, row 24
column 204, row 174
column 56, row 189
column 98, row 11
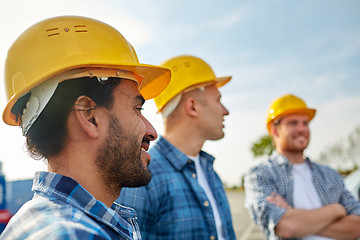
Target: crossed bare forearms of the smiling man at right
column 328, row 221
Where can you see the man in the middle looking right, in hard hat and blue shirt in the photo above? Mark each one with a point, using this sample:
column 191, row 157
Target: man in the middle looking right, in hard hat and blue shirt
column 185, row 198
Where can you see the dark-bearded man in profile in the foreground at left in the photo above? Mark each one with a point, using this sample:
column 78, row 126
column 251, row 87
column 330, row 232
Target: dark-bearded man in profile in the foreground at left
column 76, row 88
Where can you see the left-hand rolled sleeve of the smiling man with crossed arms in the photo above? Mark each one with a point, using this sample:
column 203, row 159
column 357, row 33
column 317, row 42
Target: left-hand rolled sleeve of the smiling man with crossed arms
column 259, row 183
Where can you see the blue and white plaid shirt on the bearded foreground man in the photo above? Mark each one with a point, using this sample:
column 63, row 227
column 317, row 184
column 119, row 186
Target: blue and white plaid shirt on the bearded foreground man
column 62, row 209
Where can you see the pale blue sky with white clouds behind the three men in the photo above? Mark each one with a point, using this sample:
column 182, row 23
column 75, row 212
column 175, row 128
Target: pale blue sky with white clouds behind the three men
column 310, row 48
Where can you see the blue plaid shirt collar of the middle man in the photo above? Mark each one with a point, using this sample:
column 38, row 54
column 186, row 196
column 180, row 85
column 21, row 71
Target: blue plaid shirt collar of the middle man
column 177, row 158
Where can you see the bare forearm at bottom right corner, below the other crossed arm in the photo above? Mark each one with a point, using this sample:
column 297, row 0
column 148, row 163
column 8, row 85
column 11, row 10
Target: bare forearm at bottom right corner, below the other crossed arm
column 347, row 227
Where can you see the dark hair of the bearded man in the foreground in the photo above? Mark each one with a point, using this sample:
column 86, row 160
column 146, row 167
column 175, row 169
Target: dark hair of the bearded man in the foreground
column 46, row 137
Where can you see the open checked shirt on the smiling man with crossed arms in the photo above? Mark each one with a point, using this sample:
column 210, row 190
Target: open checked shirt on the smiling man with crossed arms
column 275, row 175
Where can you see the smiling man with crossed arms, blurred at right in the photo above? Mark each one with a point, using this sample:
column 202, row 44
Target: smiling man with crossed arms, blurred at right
column 291, row 197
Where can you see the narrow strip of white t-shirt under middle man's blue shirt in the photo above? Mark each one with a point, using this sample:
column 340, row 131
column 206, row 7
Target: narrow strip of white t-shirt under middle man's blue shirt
column 205, row 185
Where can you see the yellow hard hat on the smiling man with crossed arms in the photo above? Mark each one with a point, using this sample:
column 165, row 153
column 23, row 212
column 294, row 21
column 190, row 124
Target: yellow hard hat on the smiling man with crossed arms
column 285, row 105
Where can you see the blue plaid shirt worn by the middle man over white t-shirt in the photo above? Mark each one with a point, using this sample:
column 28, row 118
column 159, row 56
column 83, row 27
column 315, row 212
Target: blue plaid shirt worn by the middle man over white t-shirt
column 173, row 205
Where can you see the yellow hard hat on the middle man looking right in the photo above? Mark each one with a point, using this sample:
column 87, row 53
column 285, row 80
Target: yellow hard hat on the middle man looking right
column 186, row 71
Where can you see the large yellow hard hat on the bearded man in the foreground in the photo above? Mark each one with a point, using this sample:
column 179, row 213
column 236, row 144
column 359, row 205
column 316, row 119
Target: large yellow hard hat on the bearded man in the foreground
column 57, row 45
